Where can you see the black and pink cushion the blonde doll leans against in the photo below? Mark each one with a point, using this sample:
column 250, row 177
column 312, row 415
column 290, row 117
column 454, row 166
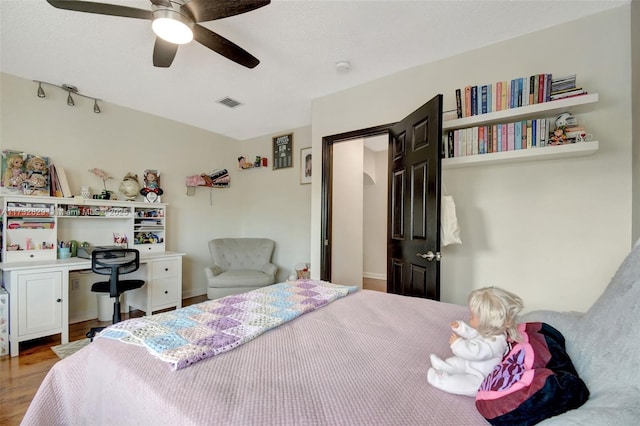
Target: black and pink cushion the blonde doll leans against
column 535, row 380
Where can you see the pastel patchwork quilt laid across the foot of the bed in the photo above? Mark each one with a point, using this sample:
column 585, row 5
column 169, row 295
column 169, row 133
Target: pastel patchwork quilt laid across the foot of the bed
column 188, row 335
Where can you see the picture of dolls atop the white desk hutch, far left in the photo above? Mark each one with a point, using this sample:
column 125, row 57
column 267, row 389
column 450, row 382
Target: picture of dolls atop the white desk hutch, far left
column 23, row 173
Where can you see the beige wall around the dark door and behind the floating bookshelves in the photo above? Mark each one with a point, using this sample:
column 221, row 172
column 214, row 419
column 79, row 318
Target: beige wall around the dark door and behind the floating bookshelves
column 552, row 231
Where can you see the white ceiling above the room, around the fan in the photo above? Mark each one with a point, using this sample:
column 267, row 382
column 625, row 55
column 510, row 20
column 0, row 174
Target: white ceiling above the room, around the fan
column 297, row 41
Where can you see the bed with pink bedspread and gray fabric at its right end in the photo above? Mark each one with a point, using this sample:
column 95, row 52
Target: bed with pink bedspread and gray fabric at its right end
column 361, row 359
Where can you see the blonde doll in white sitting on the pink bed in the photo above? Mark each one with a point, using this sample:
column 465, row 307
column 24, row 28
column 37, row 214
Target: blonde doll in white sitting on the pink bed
column 480, row 345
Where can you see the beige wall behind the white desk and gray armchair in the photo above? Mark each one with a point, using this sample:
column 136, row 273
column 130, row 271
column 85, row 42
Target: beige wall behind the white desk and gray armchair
column 260, row 202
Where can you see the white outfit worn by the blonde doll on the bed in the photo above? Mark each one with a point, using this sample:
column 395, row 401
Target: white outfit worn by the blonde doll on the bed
column 474, row 358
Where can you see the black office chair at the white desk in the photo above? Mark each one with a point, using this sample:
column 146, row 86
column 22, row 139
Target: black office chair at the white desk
column 114, row 262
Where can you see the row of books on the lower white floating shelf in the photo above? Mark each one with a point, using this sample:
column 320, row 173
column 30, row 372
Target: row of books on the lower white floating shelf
column 525, row 134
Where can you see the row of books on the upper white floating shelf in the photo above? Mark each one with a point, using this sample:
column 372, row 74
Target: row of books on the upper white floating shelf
column 518, row 92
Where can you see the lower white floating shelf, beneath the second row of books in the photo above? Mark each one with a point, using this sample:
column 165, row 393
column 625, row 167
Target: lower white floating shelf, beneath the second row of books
column 549, row 152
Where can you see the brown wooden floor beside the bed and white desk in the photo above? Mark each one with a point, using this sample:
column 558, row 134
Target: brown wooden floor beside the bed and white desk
column 21, row 376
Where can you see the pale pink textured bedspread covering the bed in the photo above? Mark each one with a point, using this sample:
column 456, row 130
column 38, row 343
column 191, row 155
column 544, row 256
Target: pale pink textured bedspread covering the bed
column 360, row 360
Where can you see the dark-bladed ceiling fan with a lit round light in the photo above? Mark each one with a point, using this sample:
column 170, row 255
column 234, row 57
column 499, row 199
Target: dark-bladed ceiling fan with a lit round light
column 176, row 22
